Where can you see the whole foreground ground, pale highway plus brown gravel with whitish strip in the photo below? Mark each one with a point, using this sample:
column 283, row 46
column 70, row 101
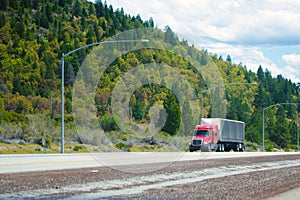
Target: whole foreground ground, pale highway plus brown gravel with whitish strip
column 195, row 175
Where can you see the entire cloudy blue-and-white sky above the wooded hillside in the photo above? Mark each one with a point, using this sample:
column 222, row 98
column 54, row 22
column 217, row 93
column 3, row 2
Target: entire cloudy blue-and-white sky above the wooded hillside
column 253, row 32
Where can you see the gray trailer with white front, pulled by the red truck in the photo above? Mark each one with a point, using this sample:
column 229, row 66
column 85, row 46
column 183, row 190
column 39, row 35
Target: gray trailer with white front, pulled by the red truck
column 231, row 133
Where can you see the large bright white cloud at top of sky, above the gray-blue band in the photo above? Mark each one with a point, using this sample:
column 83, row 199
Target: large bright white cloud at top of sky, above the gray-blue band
column 243, row 22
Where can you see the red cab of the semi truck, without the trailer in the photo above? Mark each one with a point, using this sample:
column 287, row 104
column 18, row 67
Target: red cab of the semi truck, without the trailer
column 205, row 138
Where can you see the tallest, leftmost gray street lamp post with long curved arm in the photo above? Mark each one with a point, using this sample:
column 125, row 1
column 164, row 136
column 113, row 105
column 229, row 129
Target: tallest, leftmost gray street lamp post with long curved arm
column 62, row 80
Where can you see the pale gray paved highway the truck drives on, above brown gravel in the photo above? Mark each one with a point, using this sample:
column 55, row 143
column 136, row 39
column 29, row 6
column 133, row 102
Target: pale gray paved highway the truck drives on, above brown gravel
column 44, row 162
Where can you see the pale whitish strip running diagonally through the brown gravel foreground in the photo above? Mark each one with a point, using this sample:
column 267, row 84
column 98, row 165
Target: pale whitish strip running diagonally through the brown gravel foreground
column 140, row 184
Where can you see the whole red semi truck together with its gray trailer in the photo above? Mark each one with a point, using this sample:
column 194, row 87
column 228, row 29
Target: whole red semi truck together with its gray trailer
column 216, row 134
